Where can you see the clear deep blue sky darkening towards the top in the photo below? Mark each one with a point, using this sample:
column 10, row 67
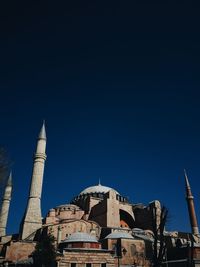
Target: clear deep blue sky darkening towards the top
column 118, row 85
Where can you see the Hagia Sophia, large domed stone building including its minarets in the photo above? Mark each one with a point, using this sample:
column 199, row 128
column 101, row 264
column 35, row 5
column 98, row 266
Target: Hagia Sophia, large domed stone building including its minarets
column 86, row 231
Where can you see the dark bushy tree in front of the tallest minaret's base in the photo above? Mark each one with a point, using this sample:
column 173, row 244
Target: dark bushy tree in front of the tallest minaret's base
column 45, row 252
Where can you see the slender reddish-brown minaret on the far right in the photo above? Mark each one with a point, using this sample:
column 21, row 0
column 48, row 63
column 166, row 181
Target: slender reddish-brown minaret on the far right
column 191, row 208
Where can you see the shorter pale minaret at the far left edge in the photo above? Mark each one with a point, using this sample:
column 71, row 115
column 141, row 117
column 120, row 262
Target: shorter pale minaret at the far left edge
column 5, row 206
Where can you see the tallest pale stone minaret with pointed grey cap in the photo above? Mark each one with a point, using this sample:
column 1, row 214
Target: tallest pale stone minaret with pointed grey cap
column 32, row 220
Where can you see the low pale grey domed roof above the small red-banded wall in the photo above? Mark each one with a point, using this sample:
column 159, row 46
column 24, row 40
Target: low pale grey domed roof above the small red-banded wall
column 80, row 237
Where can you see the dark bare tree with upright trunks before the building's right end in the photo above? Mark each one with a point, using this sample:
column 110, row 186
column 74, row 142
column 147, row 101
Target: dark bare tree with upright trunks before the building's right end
column 158, row 226
